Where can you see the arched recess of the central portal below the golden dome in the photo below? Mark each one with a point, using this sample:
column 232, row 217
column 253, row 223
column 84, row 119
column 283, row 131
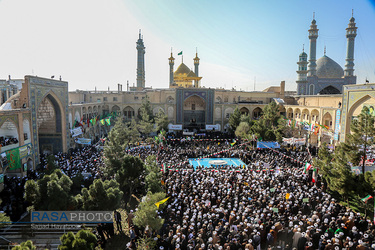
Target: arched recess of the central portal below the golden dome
column 194, row 113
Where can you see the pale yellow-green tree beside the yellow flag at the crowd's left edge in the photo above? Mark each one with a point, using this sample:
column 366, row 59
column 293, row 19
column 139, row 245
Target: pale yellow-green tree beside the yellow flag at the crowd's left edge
column 147, row 212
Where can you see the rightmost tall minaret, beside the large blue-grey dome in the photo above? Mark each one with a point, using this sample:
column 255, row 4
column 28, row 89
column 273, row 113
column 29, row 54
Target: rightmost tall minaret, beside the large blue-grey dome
column 351, row 33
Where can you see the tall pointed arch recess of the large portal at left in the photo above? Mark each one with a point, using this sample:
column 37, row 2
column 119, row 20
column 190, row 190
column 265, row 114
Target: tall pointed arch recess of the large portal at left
column 49, row 124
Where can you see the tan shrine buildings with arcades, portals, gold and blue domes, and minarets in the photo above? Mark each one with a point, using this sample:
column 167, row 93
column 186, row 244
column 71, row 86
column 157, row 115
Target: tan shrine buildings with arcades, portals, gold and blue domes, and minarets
column 41, row 116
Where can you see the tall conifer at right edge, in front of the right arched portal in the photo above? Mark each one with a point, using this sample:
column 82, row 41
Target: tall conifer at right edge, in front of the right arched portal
column 361, row 137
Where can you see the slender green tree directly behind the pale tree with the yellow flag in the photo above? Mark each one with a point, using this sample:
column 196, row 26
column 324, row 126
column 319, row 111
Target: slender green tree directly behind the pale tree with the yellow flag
column 153, row 175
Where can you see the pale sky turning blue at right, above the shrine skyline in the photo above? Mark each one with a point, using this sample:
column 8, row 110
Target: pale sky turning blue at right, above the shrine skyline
column 242, row 44
